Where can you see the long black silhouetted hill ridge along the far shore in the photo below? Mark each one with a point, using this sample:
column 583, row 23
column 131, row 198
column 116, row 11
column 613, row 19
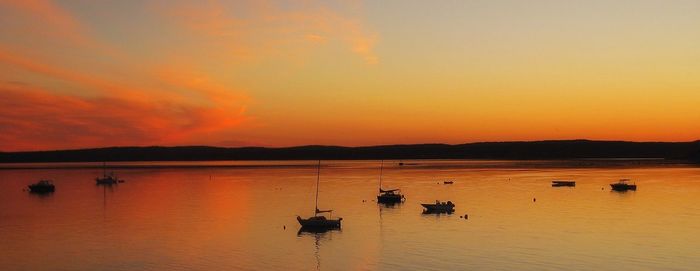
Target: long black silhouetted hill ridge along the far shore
column 536, row 150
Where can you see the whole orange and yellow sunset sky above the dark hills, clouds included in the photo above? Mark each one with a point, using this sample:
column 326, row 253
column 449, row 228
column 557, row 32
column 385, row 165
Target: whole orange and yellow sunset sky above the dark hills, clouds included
column 82, row 74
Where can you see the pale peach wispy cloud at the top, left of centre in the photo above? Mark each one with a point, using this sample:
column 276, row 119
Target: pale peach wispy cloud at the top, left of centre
column 264, row 28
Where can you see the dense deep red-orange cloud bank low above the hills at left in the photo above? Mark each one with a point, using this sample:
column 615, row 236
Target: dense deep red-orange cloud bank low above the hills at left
column 33, row 118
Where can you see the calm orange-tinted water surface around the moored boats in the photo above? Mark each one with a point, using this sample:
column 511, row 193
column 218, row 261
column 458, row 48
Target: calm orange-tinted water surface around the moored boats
column 233, row 218
